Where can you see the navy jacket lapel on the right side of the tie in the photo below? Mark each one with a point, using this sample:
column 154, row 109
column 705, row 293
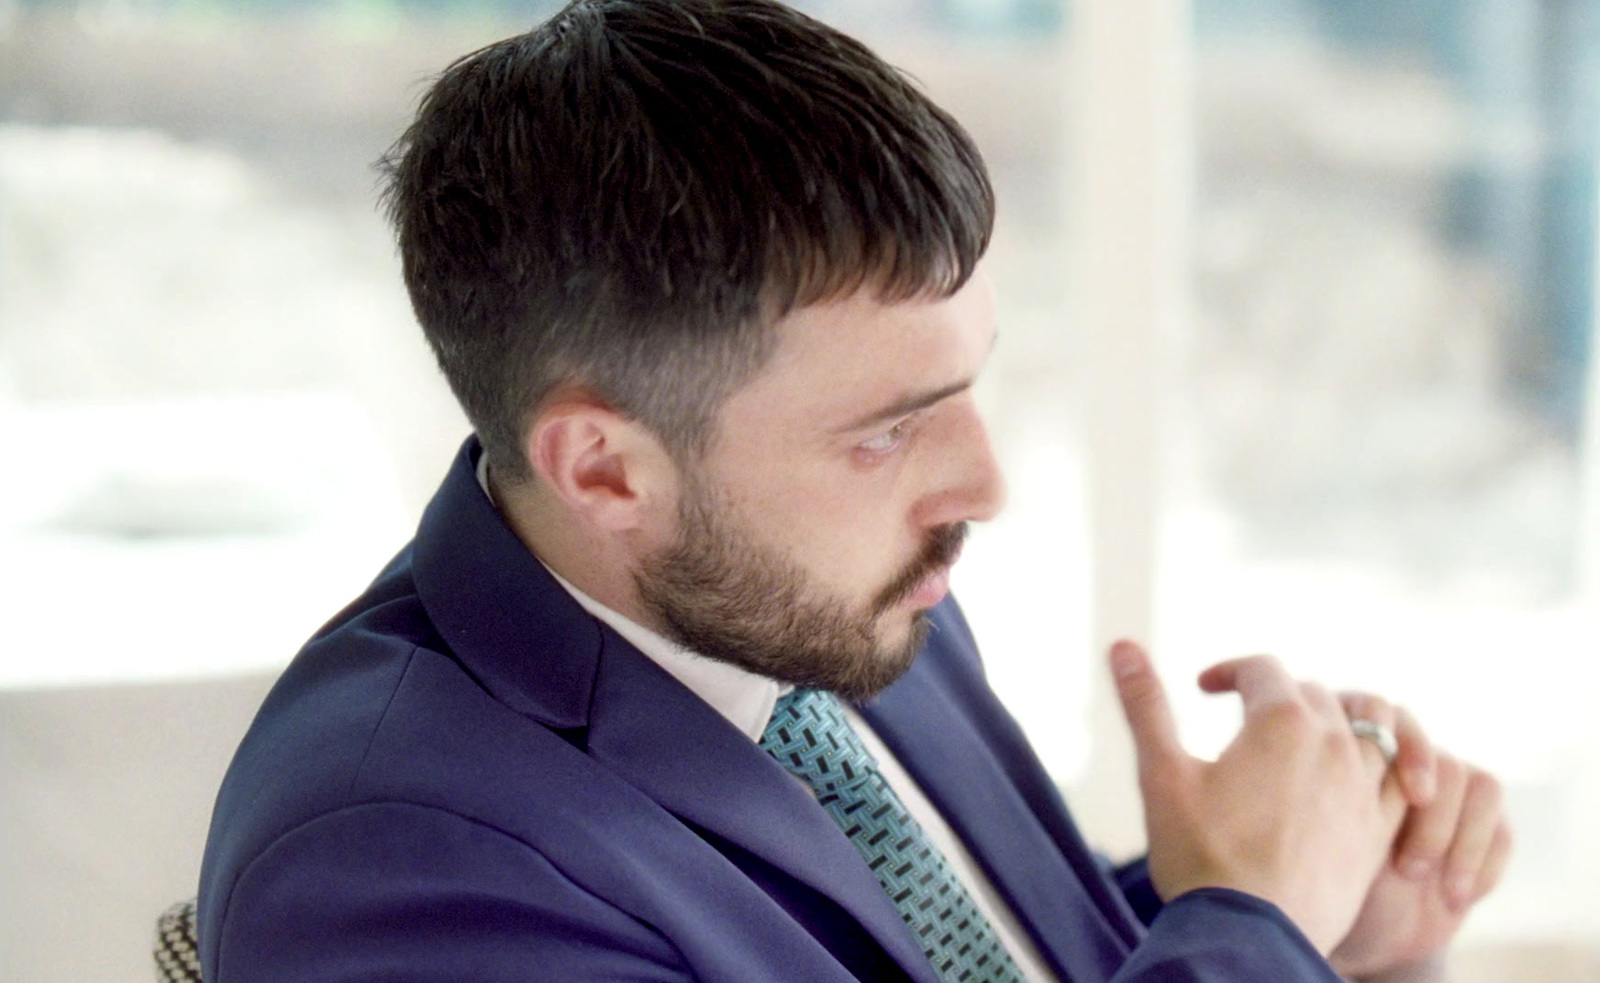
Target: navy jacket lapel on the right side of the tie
column 948, row 758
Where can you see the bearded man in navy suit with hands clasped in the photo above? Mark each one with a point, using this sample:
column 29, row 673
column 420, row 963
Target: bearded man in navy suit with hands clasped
column 668, row 686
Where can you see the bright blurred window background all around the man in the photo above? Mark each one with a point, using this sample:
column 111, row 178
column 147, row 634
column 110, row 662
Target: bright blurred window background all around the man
column 1298, row 318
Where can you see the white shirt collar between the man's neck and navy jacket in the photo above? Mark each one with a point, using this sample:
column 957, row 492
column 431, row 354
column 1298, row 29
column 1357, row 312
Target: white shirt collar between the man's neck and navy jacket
column 742, row 697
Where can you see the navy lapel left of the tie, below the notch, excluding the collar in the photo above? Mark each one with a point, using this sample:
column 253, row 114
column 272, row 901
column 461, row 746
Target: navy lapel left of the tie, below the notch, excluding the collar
column 679, row 752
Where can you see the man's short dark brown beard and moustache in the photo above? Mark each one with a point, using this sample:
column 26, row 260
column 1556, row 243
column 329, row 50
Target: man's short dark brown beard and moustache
column 726, row 595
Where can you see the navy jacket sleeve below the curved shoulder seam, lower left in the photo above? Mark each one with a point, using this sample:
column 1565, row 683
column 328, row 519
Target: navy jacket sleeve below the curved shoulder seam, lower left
column 409, row 894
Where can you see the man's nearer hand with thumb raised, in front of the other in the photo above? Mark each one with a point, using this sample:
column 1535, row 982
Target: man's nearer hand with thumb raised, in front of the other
column 1295, row 811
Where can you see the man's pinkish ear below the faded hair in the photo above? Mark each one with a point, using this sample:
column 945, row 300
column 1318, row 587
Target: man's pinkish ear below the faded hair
column 609, row 470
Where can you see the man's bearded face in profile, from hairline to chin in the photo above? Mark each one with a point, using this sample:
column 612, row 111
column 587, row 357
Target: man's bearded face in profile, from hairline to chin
column 822, row 524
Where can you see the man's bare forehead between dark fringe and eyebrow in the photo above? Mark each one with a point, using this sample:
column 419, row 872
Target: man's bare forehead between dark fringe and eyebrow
column 842, row 359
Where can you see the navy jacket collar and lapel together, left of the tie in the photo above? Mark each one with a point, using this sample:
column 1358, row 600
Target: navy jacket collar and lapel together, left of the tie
column 535, row 649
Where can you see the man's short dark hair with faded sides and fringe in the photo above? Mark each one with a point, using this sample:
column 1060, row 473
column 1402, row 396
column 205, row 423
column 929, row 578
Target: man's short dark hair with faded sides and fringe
column 628, row 198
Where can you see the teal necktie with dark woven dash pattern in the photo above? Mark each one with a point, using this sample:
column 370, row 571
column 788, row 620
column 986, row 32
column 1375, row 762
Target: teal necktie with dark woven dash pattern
column 814, row 740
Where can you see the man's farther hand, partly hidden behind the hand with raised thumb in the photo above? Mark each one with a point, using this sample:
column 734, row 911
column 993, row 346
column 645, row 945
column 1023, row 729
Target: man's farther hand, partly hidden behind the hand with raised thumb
column 1450, row 853
